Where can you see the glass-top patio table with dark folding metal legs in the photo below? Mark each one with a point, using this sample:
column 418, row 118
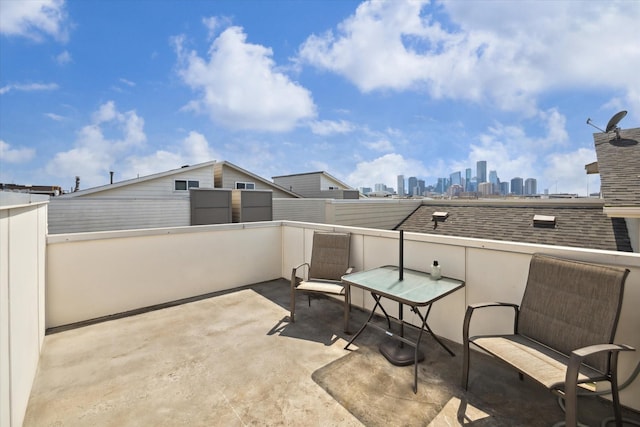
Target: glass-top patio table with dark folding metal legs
column 407, row 287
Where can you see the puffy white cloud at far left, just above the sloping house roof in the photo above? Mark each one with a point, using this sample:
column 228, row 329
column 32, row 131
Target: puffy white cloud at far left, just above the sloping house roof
column 95, row 154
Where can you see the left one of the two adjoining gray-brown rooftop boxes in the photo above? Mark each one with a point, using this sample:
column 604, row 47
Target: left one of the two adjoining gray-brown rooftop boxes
column 210, row 206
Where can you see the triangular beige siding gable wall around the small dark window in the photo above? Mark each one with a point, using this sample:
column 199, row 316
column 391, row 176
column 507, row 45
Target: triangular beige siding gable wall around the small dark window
column 159, row 187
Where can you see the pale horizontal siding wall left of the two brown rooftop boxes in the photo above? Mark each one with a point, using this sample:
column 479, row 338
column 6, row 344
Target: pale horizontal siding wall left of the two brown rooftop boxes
column 104, row 214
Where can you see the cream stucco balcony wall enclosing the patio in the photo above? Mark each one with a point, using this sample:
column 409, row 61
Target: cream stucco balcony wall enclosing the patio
column 92, row 275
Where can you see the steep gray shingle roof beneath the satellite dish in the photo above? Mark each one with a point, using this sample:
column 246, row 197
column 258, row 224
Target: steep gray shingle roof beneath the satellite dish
column 619, row 166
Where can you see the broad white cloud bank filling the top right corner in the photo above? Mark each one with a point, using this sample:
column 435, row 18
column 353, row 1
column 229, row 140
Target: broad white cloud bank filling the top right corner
column 504, row 52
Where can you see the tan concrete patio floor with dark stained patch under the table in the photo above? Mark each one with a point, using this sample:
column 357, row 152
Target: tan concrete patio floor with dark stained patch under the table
column 234, row 359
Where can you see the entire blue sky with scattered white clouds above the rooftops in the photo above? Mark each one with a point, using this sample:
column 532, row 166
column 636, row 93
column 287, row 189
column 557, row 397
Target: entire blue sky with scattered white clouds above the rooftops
column 362, row 90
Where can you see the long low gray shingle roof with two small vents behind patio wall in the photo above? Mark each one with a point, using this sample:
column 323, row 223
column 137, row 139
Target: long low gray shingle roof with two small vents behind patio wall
column 579, row 222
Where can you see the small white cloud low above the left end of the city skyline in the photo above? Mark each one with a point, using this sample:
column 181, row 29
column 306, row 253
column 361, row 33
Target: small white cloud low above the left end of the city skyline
column 384, row 170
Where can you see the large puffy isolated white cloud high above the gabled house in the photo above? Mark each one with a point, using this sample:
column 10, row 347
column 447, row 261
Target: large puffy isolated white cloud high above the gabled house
column 240, row 87
